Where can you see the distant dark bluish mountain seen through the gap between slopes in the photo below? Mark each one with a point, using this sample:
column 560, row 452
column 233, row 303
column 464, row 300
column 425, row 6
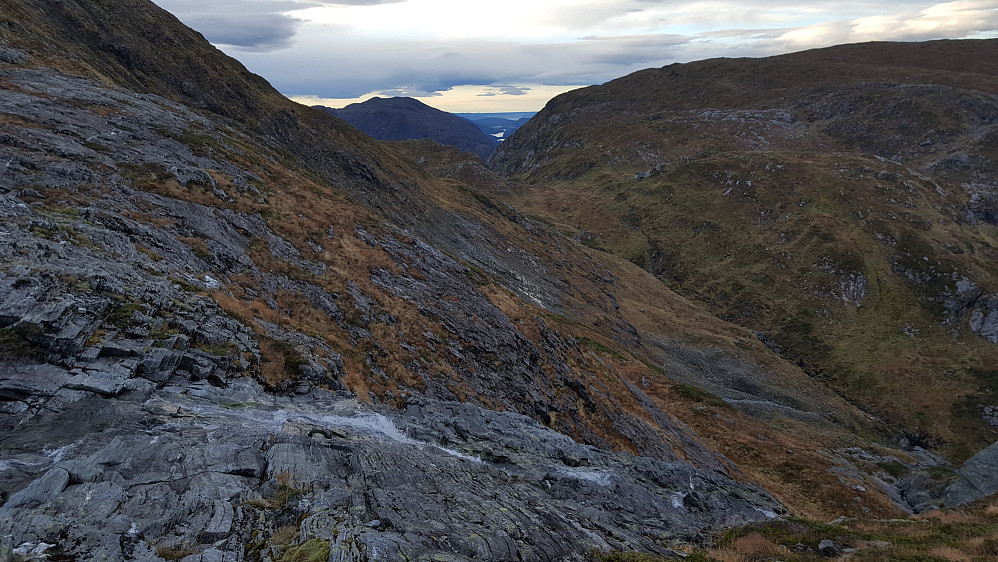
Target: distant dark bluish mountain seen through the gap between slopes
column 396, row 119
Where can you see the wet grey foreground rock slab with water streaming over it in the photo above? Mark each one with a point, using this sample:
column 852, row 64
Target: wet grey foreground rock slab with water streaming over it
column 219, row 469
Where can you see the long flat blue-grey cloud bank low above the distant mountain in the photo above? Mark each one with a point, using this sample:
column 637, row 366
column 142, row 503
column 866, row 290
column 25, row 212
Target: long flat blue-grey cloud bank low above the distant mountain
column 374, row 66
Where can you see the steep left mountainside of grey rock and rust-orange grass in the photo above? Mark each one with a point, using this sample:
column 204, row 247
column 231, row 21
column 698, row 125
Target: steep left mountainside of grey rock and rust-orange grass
column 235, row 328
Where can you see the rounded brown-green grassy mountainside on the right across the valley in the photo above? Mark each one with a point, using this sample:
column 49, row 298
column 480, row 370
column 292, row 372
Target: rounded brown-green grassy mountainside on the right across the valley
column 841, row 203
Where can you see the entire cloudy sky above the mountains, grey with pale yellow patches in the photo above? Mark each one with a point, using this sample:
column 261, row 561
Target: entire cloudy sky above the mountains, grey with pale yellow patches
column 514, row 55
